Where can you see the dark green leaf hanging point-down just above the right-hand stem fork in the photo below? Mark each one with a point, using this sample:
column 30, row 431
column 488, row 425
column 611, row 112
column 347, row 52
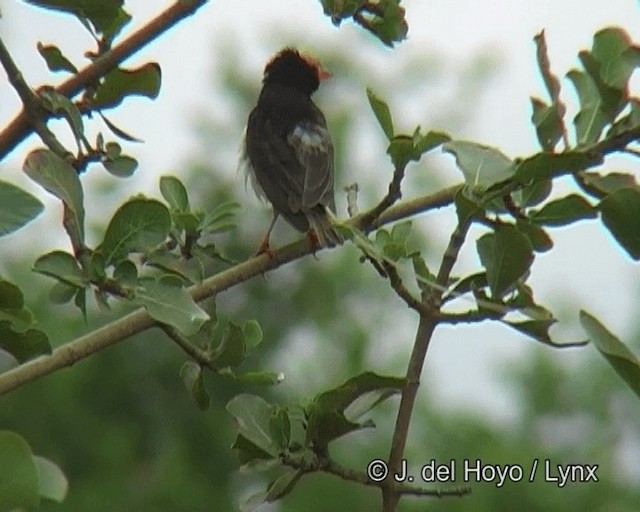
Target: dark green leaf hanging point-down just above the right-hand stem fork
column 506, row 254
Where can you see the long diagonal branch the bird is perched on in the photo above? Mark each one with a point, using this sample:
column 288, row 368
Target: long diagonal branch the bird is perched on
column 139, row 321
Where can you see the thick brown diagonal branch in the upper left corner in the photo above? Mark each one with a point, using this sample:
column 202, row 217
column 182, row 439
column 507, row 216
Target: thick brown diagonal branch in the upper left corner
column 19, row 128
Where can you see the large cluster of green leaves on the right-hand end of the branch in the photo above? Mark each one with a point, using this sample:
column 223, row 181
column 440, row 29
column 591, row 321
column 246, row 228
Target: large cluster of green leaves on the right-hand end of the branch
column 511, row 197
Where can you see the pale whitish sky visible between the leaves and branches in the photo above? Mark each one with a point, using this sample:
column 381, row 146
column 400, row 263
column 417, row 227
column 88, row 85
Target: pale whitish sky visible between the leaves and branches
column 604, row 281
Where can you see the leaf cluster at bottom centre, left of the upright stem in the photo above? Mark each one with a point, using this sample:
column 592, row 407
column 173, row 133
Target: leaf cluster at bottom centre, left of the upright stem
column 292, row 441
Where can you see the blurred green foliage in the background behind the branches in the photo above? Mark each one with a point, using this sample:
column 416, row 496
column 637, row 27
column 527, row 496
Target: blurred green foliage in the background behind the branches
column 128, row 436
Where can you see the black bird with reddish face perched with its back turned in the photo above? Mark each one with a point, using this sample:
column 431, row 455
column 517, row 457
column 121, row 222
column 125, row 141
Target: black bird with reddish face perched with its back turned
column 287, row 152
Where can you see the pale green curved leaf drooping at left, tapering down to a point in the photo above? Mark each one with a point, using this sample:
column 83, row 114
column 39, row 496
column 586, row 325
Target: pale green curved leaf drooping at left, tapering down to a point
column 57, row 177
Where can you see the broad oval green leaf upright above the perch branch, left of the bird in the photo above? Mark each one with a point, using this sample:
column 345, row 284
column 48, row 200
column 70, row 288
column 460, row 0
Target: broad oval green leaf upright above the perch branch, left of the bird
column 138, row 226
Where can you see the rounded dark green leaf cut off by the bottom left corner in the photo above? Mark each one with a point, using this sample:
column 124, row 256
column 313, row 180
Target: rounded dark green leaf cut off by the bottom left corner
column 19, row 474
